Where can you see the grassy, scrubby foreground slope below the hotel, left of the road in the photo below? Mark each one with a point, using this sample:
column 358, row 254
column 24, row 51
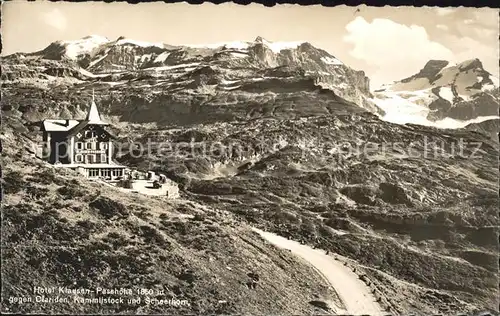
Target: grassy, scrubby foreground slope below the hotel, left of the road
column 61, row 230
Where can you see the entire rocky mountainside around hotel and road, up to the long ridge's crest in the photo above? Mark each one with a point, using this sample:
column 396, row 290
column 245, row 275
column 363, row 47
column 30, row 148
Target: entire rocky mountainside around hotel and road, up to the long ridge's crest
column 254, row 137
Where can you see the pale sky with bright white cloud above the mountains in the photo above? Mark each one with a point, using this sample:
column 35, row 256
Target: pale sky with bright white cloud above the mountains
column 388, row 43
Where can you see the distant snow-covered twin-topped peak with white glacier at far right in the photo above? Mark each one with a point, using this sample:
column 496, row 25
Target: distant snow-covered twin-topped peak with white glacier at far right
column 462, row 92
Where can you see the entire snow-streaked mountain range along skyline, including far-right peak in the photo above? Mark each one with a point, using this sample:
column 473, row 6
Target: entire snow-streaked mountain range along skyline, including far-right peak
column 226, row 74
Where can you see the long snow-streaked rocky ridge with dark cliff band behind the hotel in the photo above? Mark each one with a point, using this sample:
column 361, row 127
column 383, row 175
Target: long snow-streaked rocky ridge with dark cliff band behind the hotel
column 190, row 83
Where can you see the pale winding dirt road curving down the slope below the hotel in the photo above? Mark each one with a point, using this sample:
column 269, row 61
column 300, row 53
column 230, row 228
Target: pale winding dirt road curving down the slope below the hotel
column 354, row 293
